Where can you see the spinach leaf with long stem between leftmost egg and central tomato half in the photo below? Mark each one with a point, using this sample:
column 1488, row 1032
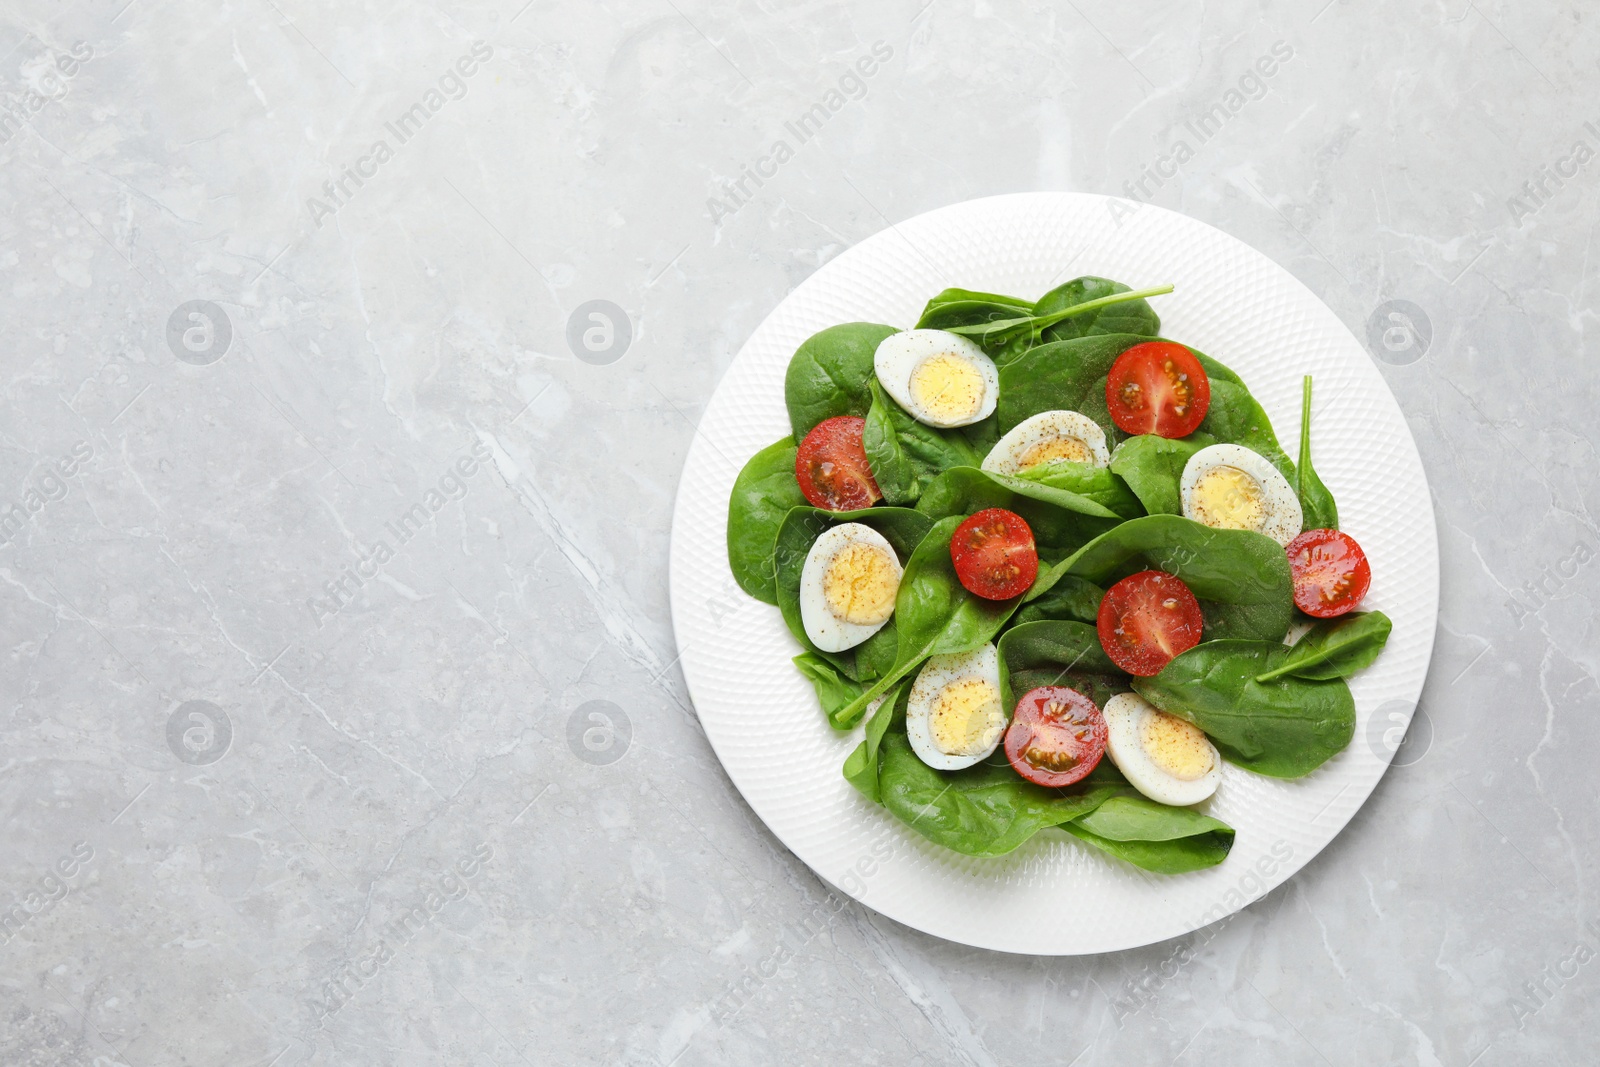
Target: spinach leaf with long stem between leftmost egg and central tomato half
column 934, row 615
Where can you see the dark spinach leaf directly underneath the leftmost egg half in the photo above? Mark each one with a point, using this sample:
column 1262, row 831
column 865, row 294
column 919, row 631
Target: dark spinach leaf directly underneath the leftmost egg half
column 902, row 527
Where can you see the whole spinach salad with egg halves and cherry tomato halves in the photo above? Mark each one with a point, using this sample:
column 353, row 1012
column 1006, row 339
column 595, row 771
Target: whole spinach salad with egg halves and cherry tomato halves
column 1054, row 562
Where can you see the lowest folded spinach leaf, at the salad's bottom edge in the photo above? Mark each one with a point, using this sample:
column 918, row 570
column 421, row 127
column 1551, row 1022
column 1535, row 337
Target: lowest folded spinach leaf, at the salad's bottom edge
column 1154, row 837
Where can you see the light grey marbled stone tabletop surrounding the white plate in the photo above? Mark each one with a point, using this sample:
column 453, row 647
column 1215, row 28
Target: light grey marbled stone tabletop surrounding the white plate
column 241, row 871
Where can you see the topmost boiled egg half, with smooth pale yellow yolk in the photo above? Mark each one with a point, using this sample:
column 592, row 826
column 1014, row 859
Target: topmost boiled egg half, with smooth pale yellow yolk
column 940, row 378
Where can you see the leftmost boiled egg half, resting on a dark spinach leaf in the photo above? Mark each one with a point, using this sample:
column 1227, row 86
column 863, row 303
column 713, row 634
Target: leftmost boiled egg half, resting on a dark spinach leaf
column 849, row 586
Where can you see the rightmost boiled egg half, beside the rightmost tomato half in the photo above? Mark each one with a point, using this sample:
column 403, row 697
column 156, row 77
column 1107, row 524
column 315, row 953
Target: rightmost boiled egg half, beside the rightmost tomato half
column 1230, row 487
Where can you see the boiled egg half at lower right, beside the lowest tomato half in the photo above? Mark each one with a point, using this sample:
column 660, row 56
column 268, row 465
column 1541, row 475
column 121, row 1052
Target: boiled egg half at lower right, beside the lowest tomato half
column 1164, row 757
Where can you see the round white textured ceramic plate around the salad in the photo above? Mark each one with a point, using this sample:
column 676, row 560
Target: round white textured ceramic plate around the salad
column 764, row 721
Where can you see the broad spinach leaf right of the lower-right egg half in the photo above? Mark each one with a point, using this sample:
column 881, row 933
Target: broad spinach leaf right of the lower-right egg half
column 1284, row 729
